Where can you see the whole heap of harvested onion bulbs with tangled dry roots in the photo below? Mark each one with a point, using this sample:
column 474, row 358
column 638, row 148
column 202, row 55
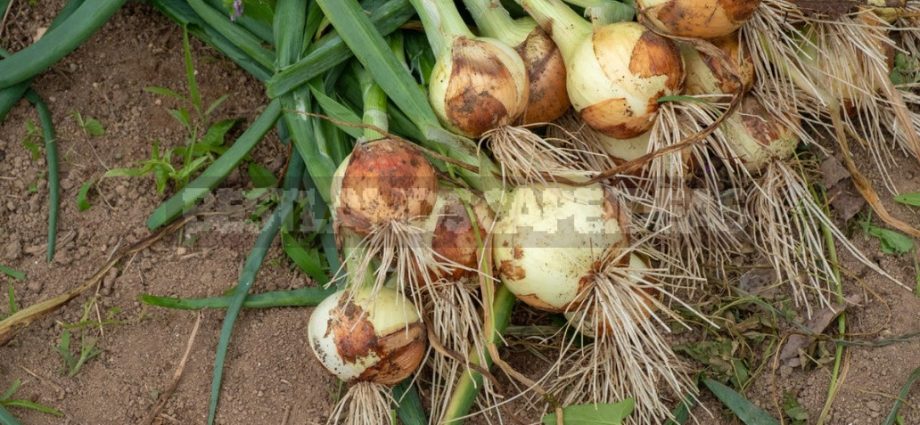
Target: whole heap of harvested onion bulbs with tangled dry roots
column 613, row 147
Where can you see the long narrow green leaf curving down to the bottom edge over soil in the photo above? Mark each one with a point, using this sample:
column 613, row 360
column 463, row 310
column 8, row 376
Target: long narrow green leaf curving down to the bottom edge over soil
column 248, row 275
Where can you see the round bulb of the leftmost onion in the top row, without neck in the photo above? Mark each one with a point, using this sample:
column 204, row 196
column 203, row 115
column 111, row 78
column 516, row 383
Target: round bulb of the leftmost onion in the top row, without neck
column 478, row 84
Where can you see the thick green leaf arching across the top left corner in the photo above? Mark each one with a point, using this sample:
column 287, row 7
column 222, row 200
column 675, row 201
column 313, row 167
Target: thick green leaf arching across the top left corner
column 57, row 43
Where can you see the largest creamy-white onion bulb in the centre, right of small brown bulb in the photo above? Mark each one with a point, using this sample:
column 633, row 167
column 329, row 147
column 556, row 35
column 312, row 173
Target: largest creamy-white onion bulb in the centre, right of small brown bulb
column 549, row 239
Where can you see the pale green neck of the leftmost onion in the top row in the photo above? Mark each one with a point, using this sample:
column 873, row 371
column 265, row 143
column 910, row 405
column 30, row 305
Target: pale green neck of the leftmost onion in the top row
column 442, row 22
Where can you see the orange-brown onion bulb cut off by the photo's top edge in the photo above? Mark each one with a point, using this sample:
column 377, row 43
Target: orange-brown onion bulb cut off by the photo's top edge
column 698, row 18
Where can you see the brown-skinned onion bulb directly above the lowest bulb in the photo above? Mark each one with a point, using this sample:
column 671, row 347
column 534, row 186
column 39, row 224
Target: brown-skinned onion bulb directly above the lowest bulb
column 384, row 180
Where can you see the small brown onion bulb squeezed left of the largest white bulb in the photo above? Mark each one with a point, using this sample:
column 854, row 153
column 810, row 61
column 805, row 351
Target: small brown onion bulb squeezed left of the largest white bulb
column 452, row 235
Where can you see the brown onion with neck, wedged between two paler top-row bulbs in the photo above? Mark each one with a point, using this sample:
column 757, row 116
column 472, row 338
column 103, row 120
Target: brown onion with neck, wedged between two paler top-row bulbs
column 548, row 98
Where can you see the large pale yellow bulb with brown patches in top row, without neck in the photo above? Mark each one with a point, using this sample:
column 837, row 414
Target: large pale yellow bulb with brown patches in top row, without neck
column 618, row 73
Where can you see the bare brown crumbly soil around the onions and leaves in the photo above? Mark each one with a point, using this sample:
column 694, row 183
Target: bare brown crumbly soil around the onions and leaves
column 270, row 376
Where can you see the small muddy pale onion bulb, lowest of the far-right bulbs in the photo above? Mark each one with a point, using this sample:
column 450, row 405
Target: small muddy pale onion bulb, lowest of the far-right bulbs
column 757, row 137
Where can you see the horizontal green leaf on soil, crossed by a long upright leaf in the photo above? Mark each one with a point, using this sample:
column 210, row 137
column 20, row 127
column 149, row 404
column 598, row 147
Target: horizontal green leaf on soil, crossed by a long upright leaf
column 301, row 297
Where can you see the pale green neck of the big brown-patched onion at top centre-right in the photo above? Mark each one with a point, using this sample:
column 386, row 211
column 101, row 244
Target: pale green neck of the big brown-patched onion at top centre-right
column 566, row 27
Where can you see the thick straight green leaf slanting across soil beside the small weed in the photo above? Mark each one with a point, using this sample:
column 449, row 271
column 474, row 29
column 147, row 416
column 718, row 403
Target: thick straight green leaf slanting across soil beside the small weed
column 218, row 170
